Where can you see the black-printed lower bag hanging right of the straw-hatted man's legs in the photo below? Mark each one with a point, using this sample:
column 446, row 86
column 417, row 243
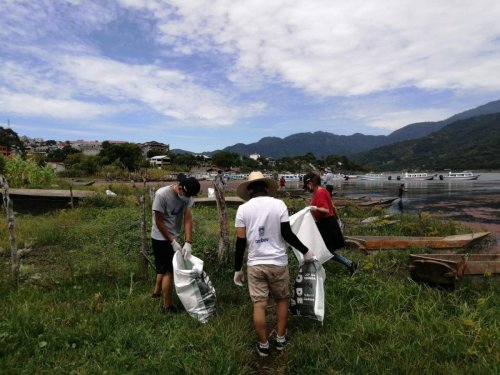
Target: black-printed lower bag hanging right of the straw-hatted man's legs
column 308, row 294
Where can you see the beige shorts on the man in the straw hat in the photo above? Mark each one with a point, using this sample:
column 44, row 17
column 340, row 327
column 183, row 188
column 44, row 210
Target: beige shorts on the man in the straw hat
column 267, row 278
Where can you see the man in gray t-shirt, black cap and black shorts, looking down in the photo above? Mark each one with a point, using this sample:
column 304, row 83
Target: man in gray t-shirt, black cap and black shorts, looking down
column 171, row 209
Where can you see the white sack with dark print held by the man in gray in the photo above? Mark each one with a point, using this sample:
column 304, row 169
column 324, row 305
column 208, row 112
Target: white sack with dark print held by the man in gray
column 193, row 287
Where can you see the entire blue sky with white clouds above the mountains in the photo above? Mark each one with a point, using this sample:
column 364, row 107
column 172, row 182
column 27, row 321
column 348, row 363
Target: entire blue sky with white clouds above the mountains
column 201, row 75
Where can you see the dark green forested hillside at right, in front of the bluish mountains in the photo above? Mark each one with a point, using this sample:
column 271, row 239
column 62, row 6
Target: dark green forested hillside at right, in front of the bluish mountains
column 465, row 144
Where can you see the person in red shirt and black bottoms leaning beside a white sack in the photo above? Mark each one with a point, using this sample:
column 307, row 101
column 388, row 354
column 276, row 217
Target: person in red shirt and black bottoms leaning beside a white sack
column 325, row 215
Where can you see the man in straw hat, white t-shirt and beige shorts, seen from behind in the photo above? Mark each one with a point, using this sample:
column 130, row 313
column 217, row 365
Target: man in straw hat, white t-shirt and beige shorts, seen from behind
column 263, row 223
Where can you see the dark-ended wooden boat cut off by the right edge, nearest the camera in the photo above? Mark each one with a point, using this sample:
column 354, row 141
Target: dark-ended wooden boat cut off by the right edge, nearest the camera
column 447, row 269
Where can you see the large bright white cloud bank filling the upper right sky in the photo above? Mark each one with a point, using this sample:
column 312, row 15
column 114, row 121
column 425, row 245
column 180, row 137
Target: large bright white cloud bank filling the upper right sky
column 335, row 48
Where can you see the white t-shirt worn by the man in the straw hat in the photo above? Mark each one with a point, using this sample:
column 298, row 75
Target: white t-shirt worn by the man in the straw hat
column 262, row 218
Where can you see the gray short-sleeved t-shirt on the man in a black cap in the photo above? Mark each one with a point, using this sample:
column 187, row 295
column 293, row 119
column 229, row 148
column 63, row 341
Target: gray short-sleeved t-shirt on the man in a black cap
column 168, row 202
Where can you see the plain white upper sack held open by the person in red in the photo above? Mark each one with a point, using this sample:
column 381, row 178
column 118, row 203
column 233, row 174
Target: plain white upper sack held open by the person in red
column 304, row 227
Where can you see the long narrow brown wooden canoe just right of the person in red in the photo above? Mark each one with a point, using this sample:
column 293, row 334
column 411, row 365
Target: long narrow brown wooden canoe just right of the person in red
column 404, row 242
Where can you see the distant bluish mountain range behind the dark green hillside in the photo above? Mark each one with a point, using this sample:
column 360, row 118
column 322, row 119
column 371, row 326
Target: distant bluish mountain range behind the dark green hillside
column 322, row 143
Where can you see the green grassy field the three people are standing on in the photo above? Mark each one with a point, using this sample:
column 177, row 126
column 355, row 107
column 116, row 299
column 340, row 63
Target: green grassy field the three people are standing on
column 83, row 306
